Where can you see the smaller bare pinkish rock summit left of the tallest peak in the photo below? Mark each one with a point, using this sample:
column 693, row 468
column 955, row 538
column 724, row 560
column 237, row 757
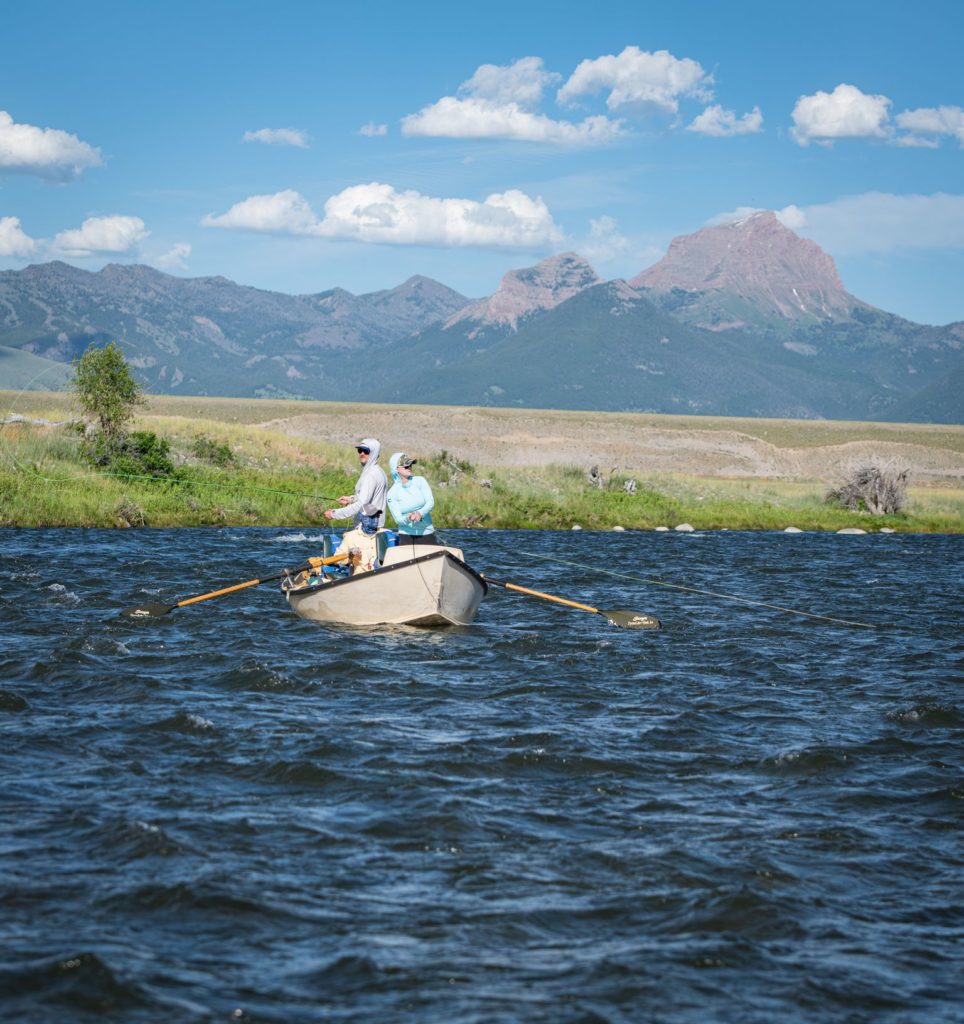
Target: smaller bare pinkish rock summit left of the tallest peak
column 531, row 290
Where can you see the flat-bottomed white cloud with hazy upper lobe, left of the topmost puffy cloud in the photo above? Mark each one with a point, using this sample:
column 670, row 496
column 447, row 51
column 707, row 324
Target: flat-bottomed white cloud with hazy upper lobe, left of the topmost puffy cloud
column 499, row 103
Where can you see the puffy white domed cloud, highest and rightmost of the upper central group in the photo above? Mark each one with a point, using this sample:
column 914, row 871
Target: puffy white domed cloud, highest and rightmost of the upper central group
column 639, row 78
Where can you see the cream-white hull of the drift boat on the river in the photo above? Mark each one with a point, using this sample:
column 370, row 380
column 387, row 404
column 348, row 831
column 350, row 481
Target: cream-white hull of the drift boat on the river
column 425, row 586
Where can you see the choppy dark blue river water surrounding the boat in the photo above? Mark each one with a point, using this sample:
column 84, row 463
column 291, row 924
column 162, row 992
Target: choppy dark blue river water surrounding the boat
column 232, row 815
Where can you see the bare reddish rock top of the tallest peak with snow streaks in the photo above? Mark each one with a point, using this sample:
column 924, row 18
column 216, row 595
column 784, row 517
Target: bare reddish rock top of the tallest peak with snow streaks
column 746, row 270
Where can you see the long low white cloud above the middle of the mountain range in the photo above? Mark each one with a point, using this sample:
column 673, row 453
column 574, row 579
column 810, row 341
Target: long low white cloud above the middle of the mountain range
column 380, row 214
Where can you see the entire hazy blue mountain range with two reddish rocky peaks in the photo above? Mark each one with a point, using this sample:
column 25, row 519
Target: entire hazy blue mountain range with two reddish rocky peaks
column 745, row 319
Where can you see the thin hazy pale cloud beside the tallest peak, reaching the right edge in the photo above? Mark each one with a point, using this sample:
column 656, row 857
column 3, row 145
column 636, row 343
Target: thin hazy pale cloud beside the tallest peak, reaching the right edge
column 873, row 223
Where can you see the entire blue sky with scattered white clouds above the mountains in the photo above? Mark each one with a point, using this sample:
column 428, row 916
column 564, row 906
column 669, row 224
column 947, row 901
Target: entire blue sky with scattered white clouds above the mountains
column 300, row 147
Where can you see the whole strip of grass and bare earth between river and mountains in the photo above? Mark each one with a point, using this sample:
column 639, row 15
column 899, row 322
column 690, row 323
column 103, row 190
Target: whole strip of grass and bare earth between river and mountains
column 272, row 463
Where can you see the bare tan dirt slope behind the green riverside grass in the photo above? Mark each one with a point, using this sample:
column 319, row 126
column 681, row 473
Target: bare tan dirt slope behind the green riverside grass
column 639, row 445
